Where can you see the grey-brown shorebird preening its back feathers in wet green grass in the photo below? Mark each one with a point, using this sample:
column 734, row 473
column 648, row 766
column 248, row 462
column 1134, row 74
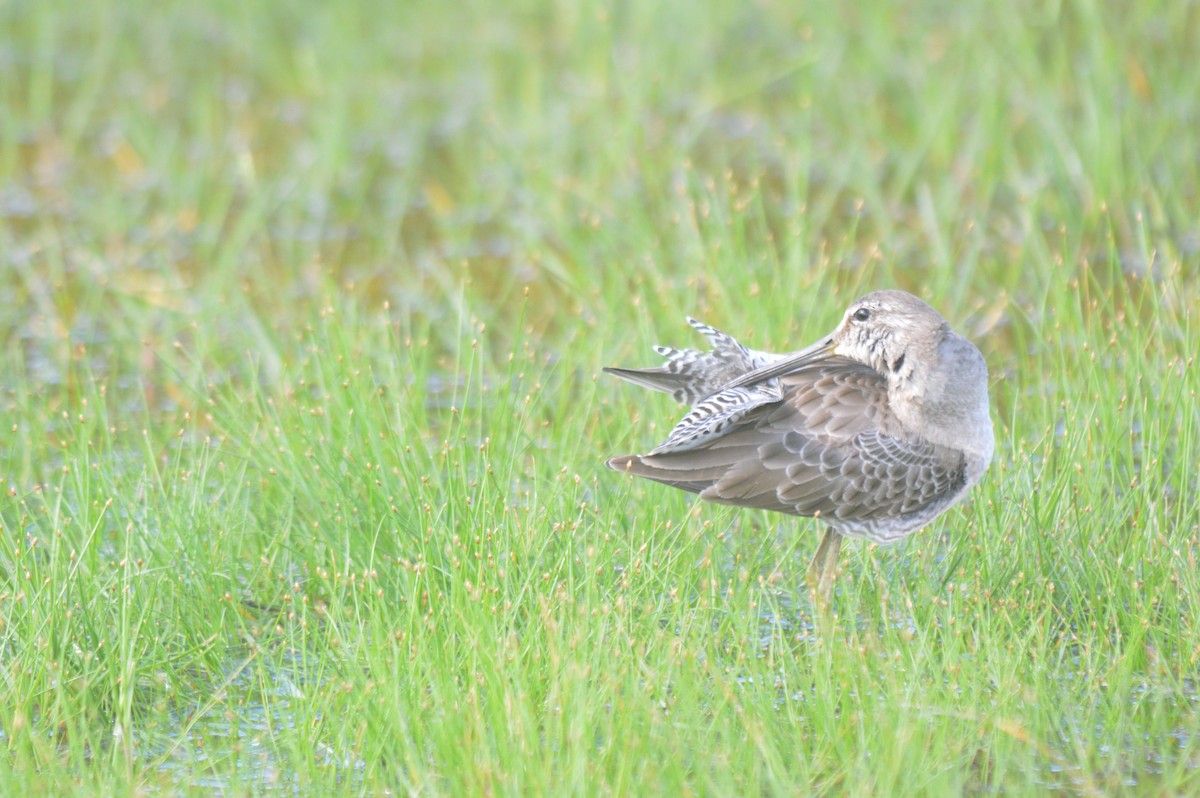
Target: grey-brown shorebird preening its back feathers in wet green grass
column 877, row 430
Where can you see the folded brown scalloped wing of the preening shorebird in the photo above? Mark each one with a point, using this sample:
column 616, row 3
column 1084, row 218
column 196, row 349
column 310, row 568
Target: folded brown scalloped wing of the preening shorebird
column 829, row 446
